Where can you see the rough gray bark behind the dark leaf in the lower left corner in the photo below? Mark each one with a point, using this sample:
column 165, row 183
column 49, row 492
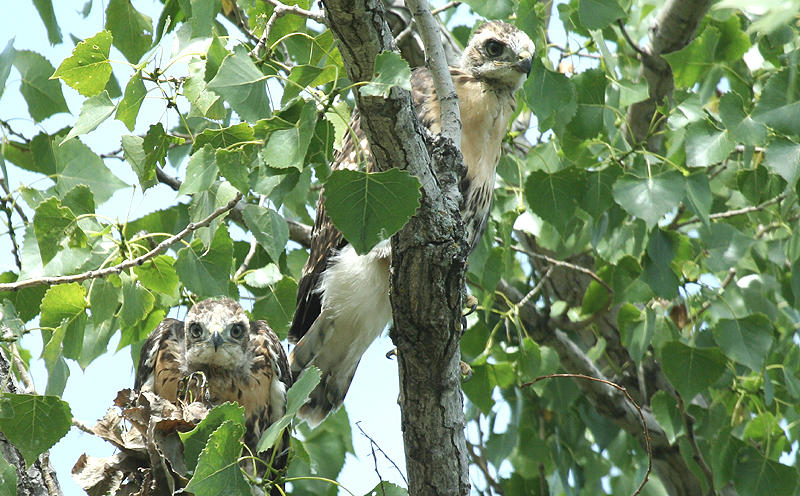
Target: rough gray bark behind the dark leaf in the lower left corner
column 40, row 478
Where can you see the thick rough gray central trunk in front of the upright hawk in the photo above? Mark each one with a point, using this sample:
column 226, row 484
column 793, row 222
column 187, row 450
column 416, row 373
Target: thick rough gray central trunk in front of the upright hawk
column 428, row 262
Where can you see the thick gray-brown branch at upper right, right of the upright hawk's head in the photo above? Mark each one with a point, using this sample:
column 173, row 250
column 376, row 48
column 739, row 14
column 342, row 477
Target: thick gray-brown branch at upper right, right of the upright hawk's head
column 673, row 29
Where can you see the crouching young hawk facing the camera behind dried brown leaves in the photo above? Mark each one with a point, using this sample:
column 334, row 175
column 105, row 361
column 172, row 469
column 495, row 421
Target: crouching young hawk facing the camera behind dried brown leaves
column 240, row 360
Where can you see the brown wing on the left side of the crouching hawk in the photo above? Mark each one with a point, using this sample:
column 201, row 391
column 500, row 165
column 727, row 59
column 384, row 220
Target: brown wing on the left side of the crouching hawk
column 160, row 360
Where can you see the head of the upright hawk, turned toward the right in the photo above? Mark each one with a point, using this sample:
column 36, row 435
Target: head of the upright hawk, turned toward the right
column 499, row 54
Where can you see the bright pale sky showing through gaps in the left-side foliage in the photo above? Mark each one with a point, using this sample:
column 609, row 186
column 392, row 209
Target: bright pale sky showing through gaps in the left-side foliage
column 371, row 401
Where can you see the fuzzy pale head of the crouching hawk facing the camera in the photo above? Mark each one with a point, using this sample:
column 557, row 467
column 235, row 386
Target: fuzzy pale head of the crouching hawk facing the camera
column 217, row 332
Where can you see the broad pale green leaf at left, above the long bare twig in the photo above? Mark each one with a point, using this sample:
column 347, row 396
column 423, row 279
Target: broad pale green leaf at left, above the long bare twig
column 76, row 164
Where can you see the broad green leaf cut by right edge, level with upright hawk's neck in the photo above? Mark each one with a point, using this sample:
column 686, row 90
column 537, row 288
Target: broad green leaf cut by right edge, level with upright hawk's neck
column 779, row 104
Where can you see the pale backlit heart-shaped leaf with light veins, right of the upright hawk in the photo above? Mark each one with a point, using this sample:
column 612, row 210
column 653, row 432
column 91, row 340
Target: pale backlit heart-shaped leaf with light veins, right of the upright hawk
column 649, row 198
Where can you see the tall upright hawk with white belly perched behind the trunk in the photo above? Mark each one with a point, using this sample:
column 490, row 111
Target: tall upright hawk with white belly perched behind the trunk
column 343, row 298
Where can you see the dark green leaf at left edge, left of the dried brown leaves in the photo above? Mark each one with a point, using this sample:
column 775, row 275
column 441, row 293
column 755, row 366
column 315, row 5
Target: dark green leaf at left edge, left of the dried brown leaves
column 38, row 422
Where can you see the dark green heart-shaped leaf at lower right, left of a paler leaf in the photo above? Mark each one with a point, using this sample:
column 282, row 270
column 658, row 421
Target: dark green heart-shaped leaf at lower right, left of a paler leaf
column 689, row 369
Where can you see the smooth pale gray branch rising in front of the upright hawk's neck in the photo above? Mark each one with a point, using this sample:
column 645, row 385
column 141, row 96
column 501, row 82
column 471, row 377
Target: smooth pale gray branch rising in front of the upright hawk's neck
column 440, row 71
